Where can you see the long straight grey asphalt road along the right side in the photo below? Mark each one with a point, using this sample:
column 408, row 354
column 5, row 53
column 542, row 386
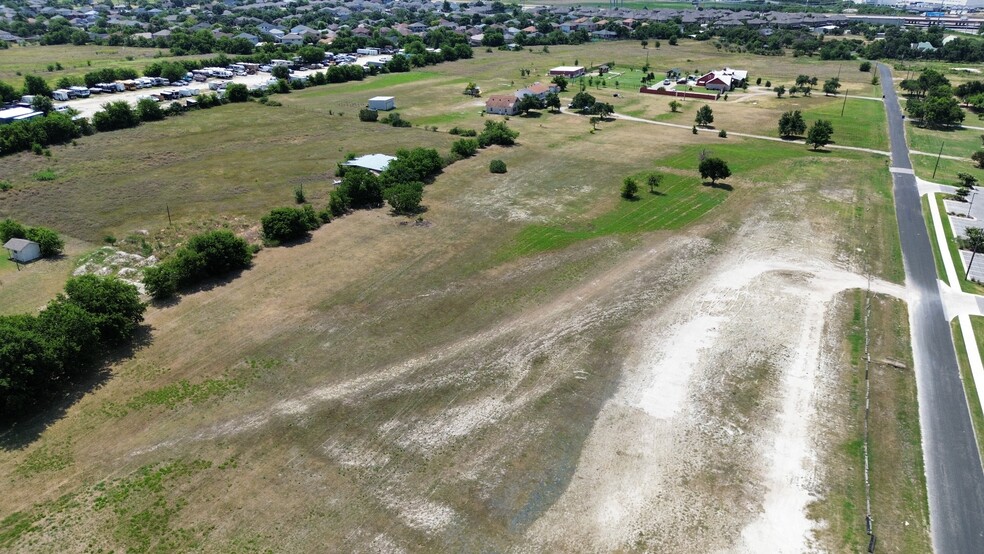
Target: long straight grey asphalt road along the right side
column 953, row 465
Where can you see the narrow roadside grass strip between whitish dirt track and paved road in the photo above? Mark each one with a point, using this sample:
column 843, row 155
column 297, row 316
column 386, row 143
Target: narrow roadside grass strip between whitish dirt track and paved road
column 898, row 489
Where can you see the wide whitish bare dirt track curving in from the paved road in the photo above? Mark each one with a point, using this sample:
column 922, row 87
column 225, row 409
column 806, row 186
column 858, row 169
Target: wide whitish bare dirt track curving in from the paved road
column 672, row 460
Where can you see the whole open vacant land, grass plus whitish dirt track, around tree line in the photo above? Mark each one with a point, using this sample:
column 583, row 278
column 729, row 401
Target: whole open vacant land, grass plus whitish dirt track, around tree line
column 539, row 362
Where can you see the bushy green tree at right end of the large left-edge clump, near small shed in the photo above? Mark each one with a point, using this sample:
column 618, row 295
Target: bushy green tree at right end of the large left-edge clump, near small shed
column 115, row 305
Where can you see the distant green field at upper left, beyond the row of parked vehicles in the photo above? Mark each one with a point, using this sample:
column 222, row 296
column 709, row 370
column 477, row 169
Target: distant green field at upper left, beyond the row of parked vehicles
column 17, row 61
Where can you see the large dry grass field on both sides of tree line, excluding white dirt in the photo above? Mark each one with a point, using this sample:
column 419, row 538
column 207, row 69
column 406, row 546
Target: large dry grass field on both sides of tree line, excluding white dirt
column 386, row 373
